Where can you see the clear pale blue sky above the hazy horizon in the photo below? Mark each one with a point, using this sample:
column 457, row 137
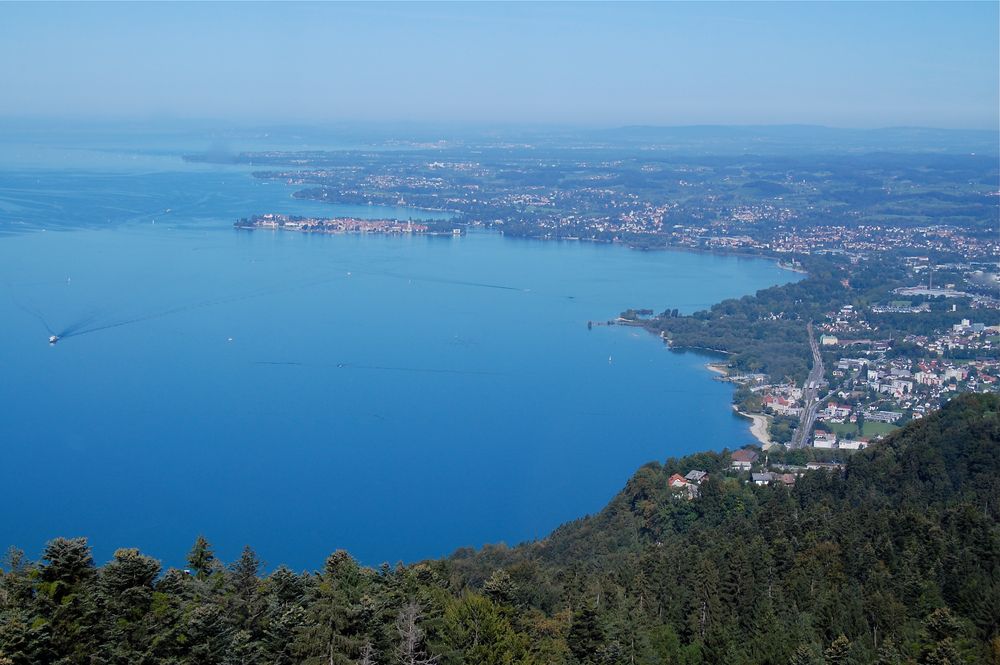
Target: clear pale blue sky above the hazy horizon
column 593, row 64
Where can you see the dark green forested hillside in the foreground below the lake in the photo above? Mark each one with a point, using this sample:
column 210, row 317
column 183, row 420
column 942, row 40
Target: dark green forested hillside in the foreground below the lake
column 896, row 560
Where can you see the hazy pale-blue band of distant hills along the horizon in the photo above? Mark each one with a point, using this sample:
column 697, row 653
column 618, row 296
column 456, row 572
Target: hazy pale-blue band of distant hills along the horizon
column 692, row 139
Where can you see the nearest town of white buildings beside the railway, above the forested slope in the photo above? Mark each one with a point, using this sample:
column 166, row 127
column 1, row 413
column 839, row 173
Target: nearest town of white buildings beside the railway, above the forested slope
column 876, row 384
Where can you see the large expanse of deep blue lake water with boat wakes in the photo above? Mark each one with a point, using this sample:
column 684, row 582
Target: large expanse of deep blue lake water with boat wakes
column 396, row 396
